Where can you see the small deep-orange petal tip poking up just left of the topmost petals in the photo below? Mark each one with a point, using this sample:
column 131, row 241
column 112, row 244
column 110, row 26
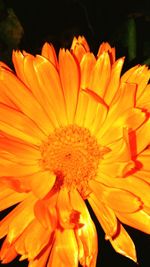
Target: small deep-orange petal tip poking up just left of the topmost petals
column 48, row 52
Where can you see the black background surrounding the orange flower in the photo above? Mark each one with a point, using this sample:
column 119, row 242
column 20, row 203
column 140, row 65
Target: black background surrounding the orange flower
column 57, row 22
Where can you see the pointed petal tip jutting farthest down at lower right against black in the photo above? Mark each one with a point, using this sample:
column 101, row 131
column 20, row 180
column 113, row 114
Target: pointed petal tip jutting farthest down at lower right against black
column 124, row 245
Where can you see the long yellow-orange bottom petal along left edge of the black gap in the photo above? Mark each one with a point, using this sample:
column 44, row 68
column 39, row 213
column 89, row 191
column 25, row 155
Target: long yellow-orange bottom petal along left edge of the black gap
column 86, row 235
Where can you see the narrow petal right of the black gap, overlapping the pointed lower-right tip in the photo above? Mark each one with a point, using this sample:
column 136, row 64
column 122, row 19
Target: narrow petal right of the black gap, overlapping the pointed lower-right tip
column 105, row 215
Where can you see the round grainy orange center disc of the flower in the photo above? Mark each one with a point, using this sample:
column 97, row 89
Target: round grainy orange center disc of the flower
column 73, row 155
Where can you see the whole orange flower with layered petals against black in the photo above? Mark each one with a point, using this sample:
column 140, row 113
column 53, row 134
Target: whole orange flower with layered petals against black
column 72, row 130
